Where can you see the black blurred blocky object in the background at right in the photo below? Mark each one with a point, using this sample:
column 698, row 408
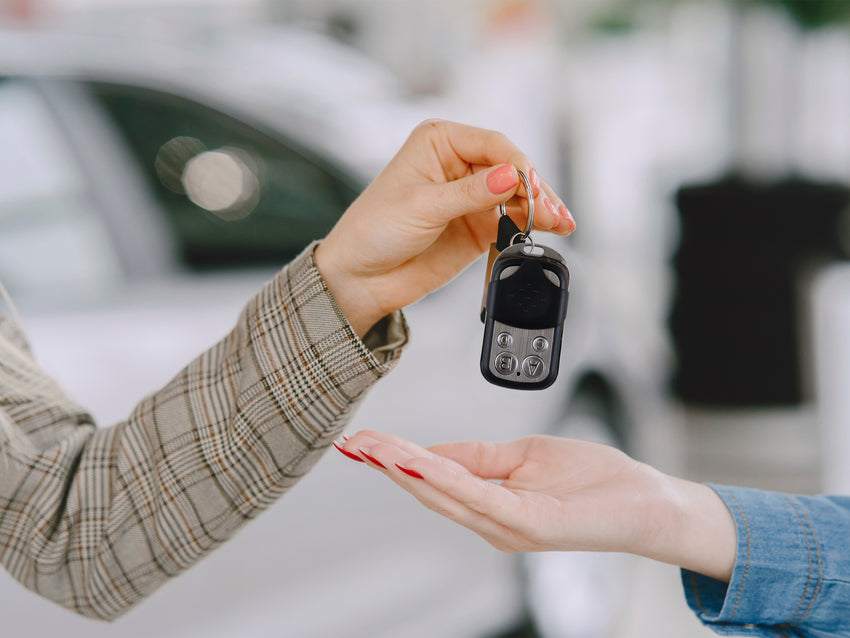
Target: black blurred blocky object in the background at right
column 735, row 319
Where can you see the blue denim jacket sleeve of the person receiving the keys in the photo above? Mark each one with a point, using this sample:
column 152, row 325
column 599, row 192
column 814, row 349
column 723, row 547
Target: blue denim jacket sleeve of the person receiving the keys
column 792, row 570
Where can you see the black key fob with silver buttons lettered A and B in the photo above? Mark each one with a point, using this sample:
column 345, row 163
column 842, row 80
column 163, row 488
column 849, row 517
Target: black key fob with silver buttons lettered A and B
column 525, row 309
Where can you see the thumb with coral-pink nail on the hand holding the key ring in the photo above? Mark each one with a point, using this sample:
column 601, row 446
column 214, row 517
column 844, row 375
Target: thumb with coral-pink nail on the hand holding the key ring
column 475, row 193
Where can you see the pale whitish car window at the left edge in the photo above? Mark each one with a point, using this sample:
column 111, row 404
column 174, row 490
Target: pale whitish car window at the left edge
column 52, row 237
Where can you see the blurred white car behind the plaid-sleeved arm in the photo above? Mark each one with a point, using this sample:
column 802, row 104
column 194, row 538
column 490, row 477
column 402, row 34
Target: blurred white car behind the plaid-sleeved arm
column 146, row 193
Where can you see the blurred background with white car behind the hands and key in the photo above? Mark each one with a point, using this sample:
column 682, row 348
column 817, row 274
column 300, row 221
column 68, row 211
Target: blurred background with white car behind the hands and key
column 159, row 159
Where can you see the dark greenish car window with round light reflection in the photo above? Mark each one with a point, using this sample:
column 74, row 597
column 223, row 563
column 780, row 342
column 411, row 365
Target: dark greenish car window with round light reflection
column 234, row 195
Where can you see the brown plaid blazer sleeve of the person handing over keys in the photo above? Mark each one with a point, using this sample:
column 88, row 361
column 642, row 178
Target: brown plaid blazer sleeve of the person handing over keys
column 95, row 519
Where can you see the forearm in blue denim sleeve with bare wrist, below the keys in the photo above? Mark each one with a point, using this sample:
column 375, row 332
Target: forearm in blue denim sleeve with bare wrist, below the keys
column 754, row 562
